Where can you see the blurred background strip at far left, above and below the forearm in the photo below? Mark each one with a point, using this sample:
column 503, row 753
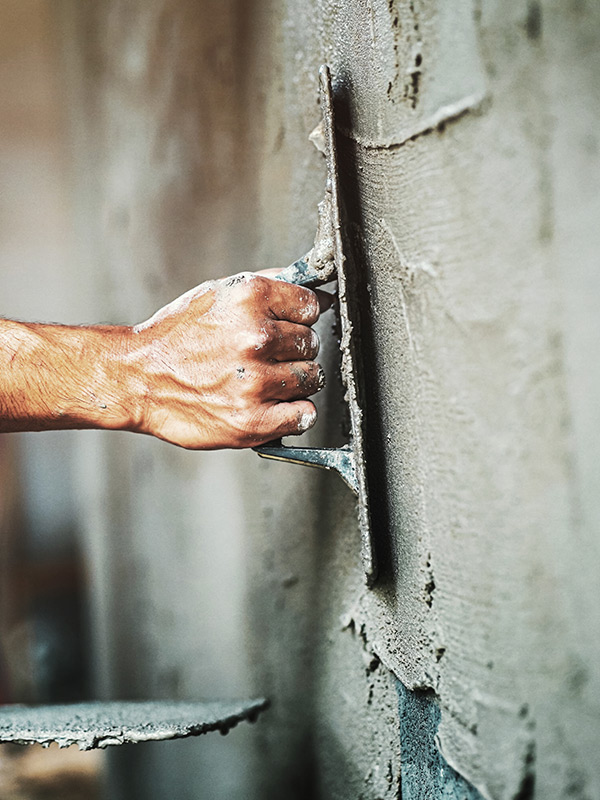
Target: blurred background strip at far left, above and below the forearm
column 41, row 567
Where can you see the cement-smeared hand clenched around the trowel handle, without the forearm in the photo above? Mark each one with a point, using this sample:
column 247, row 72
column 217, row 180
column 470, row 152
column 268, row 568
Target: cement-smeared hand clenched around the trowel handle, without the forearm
column 229, row 364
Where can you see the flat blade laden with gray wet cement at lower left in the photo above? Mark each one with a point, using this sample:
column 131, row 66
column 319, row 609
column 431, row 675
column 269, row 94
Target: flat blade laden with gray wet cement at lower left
column 99, row 725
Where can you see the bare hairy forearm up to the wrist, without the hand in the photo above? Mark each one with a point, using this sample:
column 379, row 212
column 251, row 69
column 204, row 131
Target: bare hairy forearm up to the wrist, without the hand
column 57, row 377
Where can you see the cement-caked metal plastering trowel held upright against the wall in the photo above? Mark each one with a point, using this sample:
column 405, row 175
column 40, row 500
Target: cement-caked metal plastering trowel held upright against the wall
column 326, row 262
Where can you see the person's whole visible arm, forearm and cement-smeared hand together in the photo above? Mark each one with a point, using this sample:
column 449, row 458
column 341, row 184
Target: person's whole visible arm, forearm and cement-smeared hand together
column 228, row 364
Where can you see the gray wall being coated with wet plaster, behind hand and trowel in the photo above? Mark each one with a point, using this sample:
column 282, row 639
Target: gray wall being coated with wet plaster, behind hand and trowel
column 470, row 161
